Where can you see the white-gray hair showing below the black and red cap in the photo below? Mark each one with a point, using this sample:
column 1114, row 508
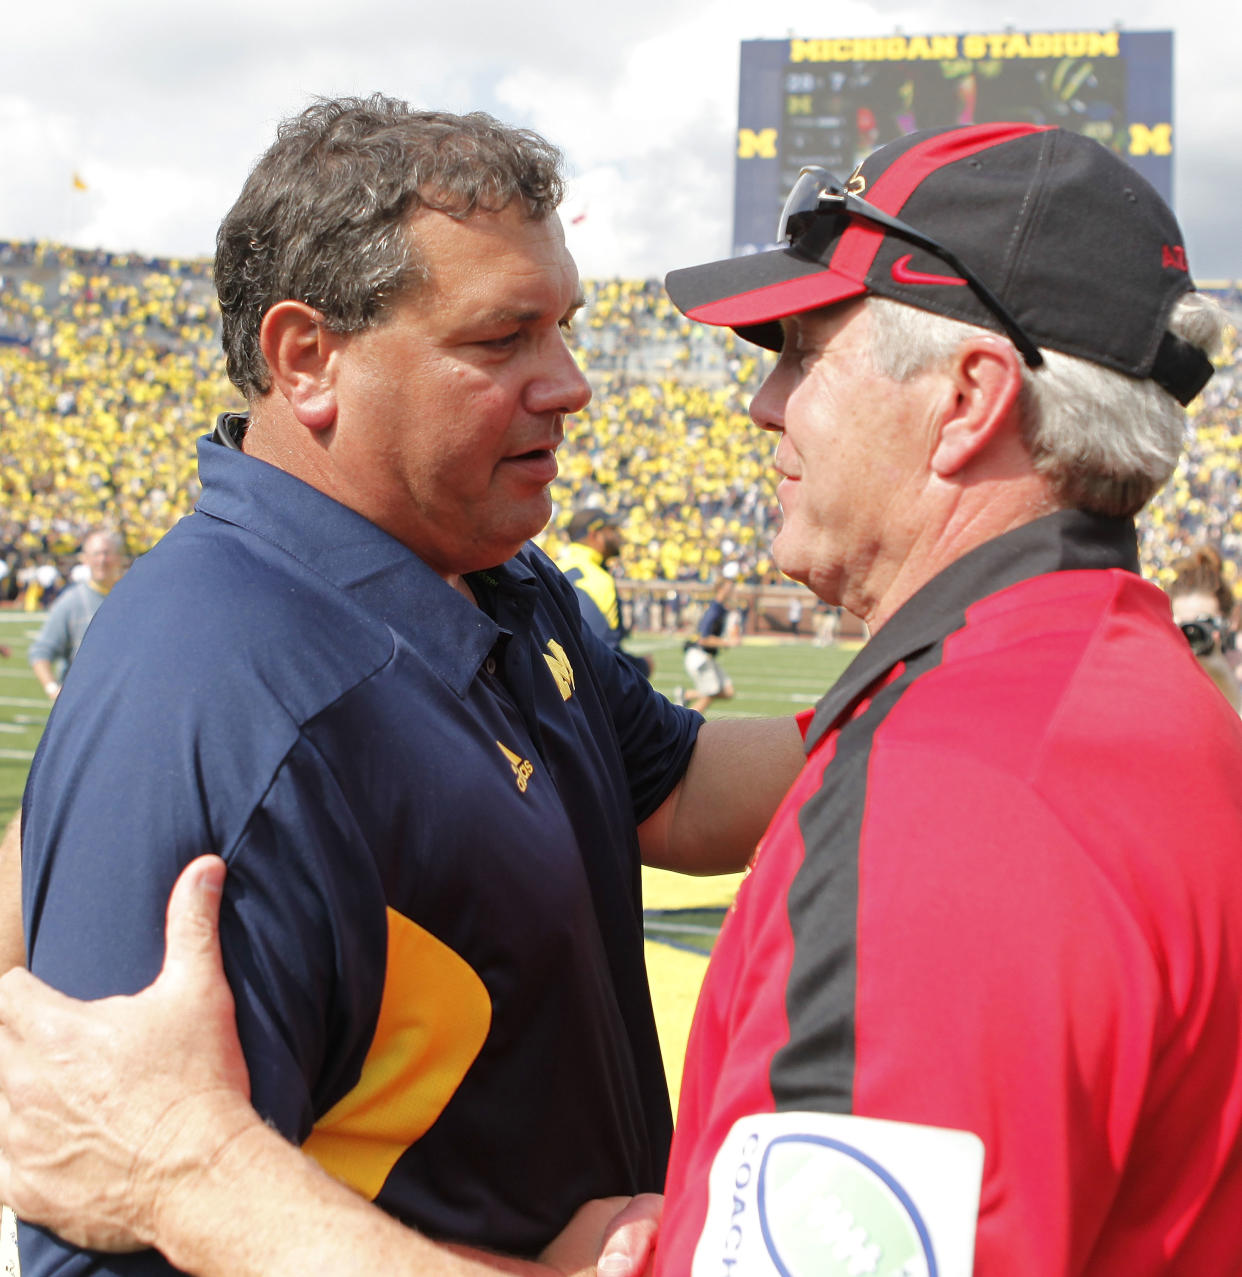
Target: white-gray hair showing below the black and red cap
column 1106, row 441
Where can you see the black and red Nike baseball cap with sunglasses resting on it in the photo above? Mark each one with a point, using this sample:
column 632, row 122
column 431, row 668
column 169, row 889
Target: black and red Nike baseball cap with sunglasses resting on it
column 1032, row 230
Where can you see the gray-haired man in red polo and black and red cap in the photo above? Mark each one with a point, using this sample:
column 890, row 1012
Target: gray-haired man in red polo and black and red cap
column 978, row 1004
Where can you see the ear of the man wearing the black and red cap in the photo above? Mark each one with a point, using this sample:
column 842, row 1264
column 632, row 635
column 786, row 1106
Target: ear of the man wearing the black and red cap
column 986, row 379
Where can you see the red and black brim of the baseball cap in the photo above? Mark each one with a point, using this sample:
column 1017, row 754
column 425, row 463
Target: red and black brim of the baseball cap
column 751, row 293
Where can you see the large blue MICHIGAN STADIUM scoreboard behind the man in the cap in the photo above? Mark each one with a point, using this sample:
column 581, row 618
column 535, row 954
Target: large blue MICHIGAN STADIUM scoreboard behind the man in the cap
column 833, row 102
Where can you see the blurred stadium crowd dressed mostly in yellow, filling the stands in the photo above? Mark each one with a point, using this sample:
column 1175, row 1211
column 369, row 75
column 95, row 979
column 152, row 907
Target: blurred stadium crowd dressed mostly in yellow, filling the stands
column 110, row 368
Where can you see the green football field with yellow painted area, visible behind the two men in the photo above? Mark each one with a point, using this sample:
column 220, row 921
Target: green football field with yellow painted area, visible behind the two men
column 684, row 915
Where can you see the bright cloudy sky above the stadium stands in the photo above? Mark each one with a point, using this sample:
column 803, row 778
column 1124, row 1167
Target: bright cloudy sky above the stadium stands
column 160, row 108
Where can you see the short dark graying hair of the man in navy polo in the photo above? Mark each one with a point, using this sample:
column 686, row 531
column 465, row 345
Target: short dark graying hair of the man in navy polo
column 324, row 218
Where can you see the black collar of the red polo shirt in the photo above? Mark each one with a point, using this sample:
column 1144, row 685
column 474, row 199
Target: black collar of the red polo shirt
column 1068, row 541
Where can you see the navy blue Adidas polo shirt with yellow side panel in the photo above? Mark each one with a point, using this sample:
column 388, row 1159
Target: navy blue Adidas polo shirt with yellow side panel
column 432, row 920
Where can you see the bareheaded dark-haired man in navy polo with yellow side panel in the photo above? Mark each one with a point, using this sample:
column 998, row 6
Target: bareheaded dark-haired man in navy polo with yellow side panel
column 352, row 676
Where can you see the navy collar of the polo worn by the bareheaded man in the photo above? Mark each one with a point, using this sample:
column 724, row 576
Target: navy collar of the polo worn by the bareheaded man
column 378, row 573
